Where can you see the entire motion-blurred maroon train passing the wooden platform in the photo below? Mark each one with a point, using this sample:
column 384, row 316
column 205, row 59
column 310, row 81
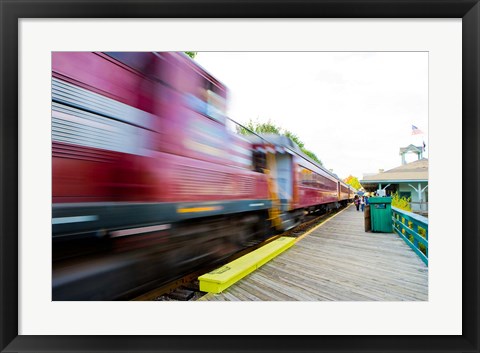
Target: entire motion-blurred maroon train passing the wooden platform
column 148, row 181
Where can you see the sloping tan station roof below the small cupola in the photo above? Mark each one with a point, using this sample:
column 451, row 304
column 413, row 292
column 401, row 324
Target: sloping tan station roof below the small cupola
column 414, row 171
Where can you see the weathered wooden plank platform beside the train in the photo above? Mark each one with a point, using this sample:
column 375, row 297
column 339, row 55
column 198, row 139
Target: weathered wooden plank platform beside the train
column 338, row 261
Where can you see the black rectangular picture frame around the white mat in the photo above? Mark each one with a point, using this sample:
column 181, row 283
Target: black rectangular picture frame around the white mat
column 12, row 11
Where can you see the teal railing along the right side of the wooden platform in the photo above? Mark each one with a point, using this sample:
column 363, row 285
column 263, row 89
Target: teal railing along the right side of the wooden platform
column 413, row 229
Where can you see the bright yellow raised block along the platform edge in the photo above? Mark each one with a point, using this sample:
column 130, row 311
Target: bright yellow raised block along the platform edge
column 221, row 278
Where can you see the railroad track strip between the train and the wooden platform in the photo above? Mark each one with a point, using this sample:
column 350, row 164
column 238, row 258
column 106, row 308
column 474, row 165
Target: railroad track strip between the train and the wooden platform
column 187, row 288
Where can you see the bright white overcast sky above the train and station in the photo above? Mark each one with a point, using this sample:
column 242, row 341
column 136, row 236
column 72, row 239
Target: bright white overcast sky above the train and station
column 354, row 110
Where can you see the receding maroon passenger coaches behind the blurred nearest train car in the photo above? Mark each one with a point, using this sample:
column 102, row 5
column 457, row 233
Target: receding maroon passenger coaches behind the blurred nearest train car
column 300, row 185
